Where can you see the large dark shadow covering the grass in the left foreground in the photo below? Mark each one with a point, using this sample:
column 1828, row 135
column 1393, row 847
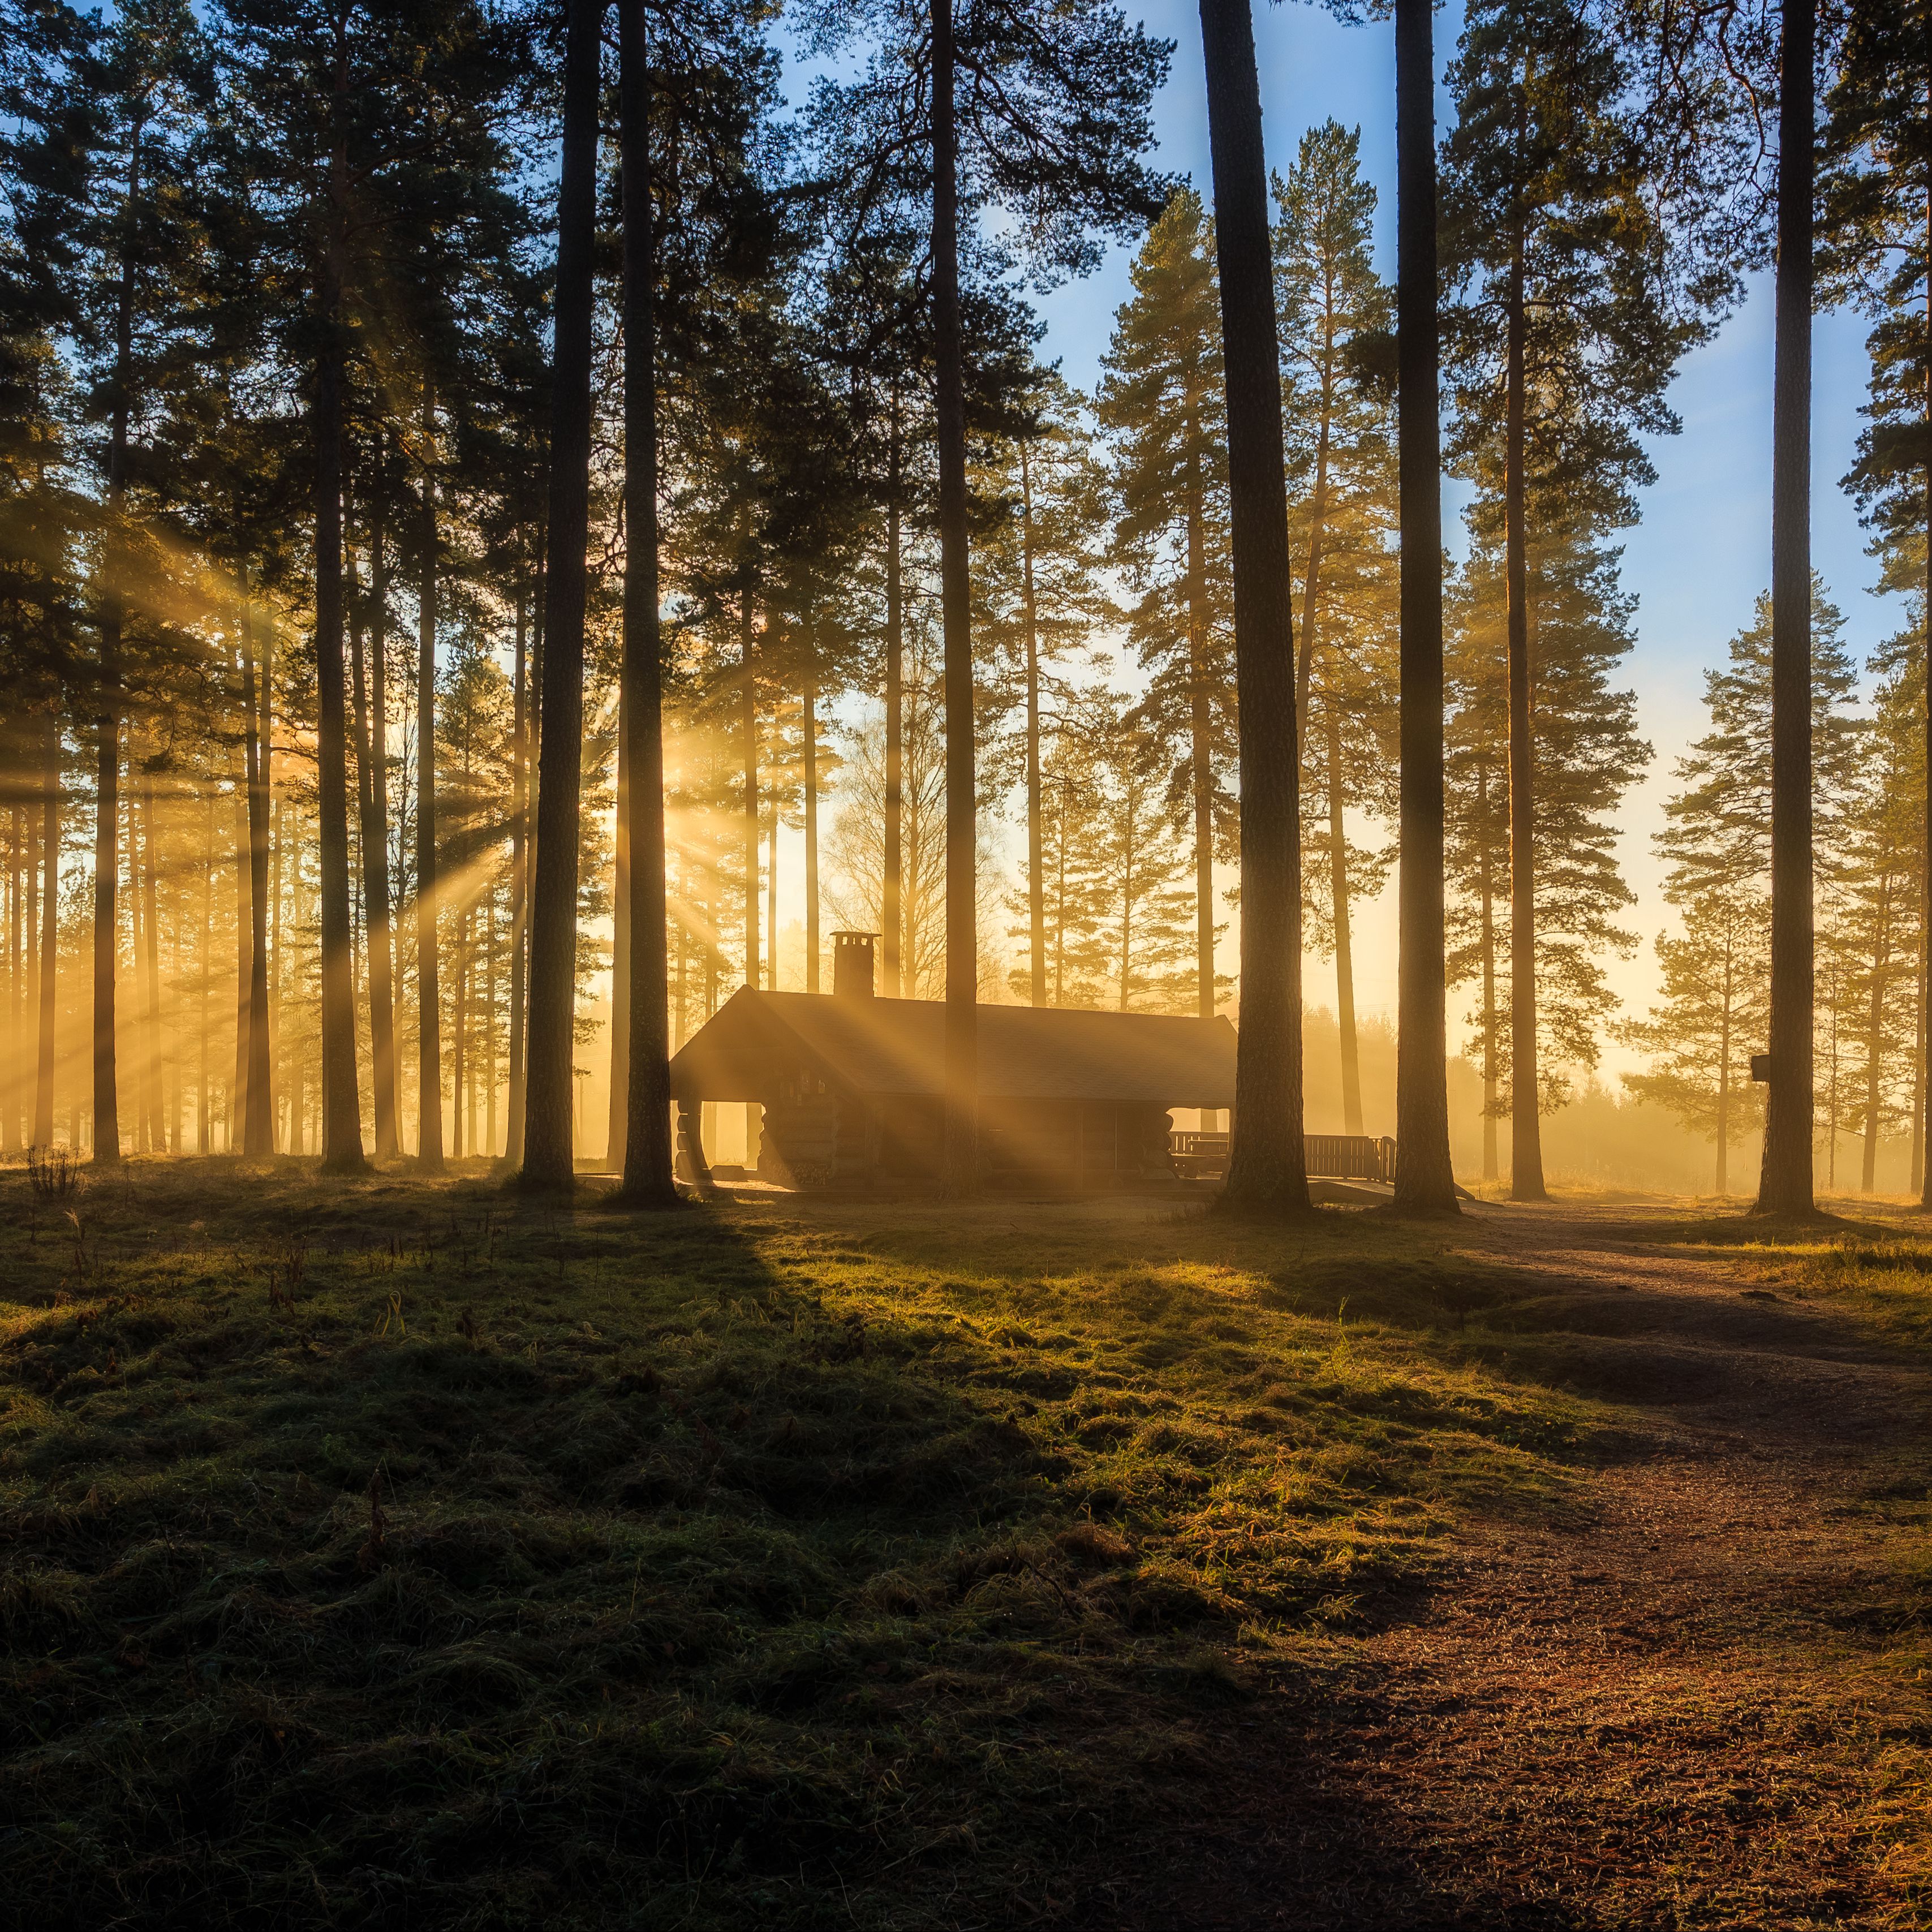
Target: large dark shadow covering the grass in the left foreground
column 397, row 1552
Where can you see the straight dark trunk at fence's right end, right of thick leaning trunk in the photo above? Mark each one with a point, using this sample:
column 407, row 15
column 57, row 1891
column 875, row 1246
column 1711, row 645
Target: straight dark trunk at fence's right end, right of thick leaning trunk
column 1425, row 1181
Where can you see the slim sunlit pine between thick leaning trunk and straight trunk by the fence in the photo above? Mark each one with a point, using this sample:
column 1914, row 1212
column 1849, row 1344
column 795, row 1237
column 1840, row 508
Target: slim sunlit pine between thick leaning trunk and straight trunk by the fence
column 1336, row 318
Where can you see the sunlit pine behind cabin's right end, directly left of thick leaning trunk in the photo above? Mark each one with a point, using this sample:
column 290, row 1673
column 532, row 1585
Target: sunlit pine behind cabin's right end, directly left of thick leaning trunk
column 1164, row 405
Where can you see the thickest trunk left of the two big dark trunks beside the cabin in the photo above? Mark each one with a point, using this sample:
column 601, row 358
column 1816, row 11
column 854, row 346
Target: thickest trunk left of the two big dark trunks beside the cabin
column 341, row 1104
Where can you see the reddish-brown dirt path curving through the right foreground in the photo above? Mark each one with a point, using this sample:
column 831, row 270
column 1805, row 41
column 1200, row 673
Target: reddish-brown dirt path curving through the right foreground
column 1705, row 1707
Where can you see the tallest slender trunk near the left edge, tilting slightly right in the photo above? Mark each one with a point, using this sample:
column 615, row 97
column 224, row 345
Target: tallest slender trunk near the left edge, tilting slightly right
column 107, row 770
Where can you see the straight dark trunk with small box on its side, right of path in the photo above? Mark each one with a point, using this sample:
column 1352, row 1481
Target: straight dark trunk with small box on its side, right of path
column 1786, row 1179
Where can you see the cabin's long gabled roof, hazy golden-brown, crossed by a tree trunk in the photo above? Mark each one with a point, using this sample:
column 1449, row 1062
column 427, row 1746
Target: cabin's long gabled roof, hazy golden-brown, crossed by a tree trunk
column 897, row 1046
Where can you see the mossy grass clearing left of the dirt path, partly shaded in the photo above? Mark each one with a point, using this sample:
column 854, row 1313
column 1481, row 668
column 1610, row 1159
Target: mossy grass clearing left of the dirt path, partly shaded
column 405, row 1554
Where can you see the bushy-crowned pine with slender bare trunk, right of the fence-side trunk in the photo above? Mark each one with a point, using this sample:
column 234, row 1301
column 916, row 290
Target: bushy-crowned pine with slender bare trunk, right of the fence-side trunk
column 1566, row 339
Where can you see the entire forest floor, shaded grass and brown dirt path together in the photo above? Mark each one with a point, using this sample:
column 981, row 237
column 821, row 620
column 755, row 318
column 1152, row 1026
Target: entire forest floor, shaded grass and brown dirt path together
column 401, row 1552
